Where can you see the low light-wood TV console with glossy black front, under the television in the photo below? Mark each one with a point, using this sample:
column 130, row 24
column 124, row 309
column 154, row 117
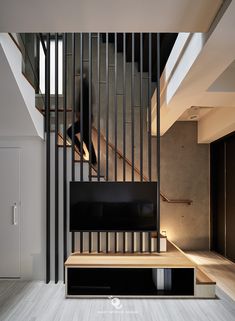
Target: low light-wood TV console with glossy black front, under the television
column 170, row 273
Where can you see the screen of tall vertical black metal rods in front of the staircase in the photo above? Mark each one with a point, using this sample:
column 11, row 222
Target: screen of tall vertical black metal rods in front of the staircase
column 121, row 131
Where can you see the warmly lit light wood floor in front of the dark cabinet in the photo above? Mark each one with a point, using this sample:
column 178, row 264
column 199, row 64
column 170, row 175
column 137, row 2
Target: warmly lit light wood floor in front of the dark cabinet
column 218, row 268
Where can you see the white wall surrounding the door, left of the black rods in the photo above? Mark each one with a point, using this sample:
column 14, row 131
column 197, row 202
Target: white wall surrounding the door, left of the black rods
column 33, row 223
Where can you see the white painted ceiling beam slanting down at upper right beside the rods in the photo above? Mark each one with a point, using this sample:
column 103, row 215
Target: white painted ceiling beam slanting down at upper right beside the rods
column 217, row 53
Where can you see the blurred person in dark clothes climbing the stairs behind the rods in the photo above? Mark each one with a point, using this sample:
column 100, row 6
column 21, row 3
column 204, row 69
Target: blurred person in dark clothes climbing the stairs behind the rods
column 85, row 121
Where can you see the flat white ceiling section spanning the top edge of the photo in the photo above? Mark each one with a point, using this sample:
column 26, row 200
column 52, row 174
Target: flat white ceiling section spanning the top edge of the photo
column 107, row 15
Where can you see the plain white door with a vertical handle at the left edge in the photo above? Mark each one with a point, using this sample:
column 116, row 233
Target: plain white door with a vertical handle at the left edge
column 9, row 212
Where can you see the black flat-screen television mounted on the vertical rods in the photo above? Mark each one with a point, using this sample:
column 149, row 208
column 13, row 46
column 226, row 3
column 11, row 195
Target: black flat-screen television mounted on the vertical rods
column 113, row 206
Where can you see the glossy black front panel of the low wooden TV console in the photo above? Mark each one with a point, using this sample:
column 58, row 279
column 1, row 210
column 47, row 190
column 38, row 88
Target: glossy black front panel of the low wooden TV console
column 129, row 282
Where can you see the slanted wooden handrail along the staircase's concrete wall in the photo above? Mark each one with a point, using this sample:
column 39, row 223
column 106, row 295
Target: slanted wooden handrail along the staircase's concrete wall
column 119, row 153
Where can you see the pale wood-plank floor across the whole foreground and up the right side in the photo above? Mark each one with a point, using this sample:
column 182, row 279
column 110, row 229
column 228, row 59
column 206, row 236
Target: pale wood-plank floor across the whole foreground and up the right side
column 36, row 301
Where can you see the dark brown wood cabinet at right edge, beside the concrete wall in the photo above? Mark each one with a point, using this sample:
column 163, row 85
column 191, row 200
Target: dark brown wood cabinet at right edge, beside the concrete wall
column 223, row 196
